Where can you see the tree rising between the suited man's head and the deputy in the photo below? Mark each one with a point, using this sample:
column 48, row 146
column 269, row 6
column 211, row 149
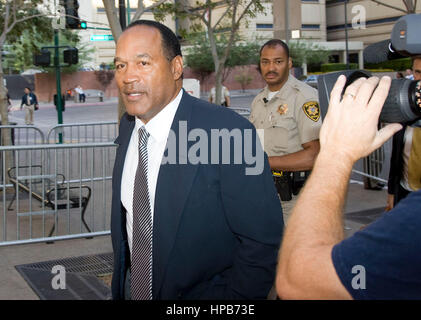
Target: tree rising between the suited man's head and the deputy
column 202, row 16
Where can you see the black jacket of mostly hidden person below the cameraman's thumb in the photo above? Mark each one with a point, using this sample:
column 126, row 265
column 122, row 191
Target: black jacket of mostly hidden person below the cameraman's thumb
column 396, row 164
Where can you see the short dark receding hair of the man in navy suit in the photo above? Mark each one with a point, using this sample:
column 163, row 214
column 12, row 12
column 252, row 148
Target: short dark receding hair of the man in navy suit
column 170, row 44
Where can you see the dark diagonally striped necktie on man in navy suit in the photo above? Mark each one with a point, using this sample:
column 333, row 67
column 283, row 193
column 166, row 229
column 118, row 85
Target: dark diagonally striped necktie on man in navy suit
column 141, row 256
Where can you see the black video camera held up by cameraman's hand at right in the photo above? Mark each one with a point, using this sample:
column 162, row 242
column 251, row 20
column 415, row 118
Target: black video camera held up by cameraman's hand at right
column 403, row 103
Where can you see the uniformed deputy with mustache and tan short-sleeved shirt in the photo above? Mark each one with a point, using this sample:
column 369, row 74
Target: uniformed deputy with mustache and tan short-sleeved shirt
column 288, row 111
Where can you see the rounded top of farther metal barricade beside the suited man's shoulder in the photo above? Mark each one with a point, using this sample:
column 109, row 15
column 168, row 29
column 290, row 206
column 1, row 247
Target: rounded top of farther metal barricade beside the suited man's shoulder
column 83, row 132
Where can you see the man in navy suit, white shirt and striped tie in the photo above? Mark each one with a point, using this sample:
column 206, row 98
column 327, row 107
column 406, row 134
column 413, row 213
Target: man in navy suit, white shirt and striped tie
column 191, row 219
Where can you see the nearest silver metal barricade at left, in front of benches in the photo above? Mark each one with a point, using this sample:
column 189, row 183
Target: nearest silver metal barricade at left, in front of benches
column 56, row 192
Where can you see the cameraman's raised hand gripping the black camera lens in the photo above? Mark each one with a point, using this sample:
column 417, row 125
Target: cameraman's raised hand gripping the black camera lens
column 349, row 130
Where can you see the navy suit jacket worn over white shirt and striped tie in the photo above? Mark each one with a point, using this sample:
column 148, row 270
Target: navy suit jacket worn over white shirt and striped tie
column 216, row 231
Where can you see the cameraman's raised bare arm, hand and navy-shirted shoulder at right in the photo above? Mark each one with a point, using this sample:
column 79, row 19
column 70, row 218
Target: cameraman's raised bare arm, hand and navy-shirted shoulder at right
column 315, row 261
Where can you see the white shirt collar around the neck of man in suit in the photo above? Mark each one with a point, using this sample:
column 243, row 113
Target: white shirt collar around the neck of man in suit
column 159, row 126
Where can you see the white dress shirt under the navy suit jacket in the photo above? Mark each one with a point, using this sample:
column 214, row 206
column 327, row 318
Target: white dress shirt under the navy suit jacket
column 158, row 128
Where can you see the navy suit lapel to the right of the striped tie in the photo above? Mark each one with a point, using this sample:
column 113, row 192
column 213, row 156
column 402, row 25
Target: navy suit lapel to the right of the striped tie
column 172, row 190
